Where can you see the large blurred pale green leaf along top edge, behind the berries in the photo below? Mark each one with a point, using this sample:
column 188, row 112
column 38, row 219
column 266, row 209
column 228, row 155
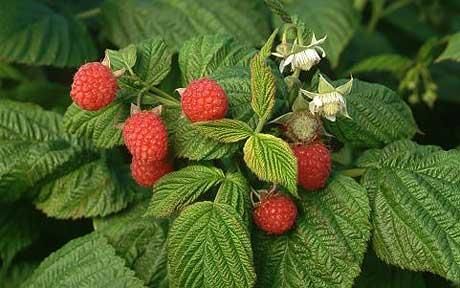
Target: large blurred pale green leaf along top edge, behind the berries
column 131, row 21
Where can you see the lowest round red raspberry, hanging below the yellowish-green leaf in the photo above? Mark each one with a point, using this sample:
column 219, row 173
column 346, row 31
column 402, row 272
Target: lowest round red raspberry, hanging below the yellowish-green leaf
column 275, row 214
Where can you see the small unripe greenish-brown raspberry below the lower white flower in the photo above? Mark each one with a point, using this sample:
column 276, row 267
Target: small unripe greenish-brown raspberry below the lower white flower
column 303, row 127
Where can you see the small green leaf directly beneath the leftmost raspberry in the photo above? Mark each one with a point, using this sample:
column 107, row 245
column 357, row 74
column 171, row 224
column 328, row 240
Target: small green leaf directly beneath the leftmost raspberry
column 101, row 127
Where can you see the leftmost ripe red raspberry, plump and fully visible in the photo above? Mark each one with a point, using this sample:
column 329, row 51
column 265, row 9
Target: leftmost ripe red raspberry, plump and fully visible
column 94, row 86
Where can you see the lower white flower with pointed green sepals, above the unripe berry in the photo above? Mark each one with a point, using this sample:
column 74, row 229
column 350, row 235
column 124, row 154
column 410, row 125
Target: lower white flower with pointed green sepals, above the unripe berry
column 329, row 101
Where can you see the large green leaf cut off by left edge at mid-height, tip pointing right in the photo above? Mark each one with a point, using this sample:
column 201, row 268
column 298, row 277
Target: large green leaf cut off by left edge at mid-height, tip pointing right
column 33, row 147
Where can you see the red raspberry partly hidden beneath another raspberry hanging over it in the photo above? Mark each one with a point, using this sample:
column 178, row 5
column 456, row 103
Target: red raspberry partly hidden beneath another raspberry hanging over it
column 147, row 173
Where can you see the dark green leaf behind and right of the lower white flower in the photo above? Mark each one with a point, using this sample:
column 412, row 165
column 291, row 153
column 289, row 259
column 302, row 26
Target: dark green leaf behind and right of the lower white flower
column 378, row 117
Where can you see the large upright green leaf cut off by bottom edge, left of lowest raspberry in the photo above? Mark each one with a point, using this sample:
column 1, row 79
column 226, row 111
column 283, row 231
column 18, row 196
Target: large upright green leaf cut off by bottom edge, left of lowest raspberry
column 209, row 247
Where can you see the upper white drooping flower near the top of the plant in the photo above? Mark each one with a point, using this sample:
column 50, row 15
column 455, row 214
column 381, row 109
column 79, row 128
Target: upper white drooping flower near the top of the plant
column 303, row 57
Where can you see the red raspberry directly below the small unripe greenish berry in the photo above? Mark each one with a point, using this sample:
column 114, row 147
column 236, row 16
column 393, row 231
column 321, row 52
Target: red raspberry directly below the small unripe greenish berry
column 313, row 165
